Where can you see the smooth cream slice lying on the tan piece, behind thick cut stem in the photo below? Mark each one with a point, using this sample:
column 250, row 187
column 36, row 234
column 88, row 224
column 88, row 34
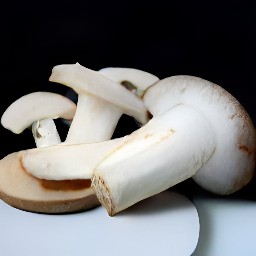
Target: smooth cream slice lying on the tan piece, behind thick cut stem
column 66, row 162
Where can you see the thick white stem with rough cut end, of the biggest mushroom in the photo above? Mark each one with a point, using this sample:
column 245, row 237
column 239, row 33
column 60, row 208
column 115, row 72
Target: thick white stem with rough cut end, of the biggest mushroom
column 169, row 149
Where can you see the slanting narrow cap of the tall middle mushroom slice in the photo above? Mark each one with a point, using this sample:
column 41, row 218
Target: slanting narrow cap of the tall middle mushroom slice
column 87, row 81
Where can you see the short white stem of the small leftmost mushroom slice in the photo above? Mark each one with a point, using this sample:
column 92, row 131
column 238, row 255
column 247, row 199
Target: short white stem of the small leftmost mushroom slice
column 45, row 133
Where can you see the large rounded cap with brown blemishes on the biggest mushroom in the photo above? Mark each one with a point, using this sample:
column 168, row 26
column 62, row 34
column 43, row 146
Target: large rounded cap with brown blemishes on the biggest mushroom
column 232, row 164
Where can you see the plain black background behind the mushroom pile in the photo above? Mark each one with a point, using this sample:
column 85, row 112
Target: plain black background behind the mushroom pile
column 210, row 39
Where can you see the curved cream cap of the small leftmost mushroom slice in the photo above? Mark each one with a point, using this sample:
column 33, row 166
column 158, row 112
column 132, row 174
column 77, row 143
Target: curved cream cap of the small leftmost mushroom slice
column 36, row 106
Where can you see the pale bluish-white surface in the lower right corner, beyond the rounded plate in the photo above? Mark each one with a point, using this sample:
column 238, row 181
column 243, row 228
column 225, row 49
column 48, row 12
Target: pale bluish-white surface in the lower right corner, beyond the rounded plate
column 228, row 227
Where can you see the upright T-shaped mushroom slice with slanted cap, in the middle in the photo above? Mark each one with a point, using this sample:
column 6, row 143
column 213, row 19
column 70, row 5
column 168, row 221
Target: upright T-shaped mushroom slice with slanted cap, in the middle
column 101, row 102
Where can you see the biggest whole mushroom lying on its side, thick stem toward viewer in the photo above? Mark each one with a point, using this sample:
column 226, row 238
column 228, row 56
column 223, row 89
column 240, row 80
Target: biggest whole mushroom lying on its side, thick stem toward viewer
column 213, row 141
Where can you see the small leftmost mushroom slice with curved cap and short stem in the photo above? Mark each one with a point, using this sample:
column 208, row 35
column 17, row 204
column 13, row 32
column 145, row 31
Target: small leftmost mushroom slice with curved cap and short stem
column 37, row 109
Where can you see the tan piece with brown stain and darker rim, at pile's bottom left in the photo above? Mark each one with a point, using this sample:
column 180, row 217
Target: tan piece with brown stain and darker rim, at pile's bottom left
column 22, row 190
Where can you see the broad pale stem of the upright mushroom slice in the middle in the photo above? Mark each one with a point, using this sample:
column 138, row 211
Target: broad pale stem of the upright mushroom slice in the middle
column 94, row 120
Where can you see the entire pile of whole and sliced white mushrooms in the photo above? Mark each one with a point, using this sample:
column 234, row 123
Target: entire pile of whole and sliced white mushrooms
column 198, row 130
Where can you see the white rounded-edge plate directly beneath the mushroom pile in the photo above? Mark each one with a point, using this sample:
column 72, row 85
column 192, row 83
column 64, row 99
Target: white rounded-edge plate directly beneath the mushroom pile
column 166, row 224
